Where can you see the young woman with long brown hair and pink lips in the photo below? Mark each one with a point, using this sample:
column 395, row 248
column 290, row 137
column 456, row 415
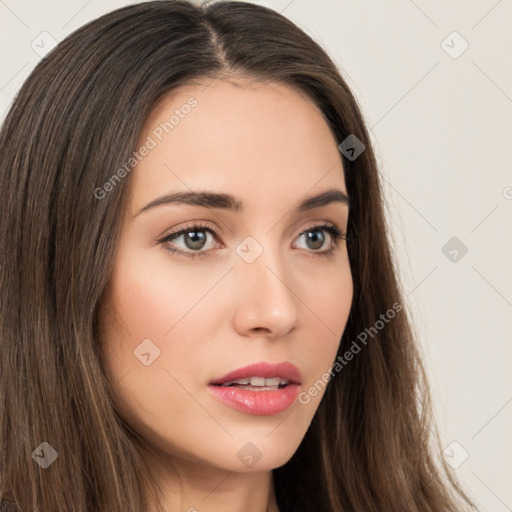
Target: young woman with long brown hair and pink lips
column 200, row 306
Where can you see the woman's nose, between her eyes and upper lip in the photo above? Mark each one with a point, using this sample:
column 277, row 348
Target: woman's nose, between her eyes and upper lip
column 266, row 301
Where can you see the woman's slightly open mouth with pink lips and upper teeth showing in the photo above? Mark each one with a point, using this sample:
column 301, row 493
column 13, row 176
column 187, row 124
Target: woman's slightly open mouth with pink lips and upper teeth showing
column 260, row 389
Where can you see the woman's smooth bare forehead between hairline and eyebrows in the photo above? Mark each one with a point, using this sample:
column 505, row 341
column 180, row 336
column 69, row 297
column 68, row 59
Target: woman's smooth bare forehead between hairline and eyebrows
column 253, row 140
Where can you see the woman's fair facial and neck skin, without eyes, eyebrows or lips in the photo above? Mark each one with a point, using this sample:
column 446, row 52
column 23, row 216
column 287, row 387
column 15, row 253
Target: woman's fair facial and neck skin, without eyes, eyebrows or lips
column 270, row 147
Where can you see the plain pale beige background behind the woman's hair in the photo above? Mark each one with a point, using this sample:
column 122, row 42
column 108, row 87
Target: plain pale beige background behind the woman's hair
column 441, row 119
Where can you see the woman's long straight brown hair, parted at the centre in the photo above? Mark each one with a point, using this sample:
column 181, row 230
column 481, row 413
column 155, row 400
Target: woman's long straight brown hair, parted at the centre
column 371, row 445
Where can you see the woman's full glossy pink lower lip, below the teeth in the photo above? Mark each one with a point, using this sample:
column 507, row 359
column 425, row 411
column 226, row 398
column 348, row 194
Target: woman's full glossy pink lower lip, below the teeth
column 259, row 403
